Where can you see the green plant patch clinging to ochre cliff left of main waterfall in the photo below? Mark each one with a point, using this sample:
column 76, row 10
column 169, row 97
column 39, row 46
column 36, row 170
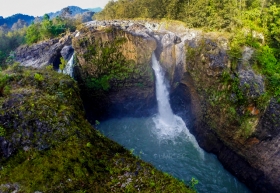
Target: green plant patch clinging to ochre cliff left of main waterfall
column 110, row 64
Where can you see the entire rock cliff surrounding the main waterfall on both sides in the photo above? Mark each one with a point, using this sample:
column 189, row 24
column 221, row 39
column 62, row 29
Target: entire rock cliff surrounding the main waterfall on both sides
column 232, row 117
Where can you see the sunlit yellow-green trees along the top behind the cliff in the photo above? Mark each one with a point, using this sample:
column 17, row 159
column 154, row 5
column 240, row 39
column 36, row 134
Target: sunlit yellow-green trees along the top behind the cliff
column 212, row 15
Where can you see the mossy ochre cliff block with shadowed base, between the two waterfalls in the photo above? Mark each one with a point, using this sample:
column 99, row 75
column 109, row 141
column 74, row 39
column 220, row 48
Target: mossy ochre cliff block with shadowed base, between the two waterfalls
column 115, row 72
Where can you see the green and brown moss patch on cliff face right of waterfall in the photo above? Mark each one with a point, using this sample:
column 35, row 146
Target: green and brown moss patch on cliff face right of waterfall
column 225, row 104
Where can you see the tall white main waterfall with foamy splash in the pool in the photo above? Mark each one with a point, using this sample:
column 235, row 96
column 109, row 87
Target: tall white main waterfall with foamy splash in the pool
column 168, row 125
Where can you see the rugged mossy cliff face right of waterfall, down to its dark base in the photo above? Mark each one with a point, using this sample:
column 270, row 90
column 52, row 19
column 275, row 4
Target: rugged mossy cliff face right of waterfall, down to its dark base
column 248, row 147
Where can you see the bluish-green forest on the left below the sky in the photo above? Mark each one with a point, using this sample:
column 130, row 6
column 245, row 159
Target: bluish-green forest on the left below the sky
column 39, row 30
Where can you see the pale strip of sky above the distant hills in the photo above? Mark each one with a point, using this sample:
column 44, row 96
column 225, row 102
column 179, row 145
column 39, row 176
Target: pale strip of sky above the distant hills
column 40, row 7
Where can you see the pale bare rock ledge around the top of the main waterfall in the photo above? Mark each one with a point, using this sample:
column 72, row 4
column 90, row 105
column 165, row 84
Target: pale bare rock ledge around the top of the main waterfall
column 169, row 42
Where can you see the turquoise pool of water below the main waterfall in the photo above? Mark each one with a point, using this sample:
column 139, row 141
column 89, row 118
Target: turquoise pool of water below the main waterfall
column 178, row 155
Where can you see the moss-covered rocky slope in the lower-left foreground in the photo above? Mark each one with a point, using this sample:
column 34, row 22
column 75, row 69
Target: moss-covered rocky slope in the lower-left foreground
column 64, row 153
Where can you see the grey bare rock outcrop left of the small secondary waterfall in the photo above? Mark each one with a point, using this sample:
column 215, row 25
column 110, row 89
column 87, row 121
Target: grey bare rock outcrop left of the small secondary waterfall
column 43, row 53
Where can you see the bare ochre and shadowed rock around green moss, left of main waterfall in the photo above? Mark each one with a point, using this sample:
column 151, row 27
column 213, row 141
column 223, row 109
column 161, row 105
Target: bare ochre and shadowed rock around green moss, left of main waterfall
column 130, row 92
